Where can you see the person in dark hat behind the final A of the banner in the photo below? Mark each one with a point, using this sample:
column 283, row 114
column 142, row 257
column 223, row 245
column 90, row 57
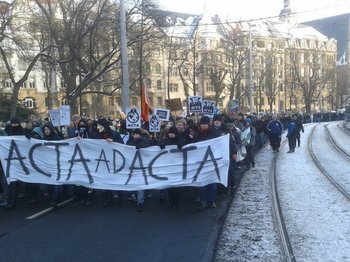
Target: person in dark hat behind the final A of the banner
column 208, row 192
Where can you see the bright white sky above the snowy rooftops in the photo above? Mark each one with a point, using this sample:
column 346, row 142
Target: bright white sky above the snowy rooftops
column 251, row 9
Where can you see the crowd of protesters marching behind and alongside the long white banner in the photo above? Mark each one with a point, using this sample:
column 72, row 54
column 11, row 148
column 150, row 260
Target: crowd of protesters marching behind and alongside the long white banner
column 247, row 134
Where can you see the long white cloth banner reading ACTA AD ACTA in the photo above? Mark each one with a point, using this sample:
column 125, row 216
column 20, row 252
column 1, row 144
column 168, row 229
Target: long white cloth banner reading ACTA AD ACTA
column 95, row 163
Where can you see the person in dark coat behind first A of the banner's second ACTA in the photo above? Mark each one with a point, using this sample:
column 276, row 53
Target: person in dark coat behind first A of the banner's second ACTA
column 139, row 141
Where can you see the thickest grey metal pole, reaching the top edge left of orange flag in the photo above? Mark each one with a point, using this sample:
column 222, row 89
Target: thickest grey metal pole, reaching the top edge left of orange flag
column 124, row 52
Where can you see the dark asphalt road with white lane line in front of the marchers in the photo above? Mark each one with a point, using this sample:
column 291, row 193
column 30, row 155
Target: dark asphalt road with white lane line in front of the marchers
column 73, row 232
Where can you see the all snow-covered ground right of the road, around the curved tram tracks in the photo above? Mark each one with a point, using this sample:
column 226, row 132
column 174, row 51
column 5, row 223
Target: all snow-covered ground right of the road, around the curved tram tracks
column 316, row 214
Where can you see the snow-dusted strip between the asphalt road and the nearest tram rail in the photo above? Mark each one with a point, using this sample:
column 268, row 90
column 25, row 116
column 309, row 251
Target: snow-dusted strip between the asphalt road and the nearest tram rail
column 249, row 233
